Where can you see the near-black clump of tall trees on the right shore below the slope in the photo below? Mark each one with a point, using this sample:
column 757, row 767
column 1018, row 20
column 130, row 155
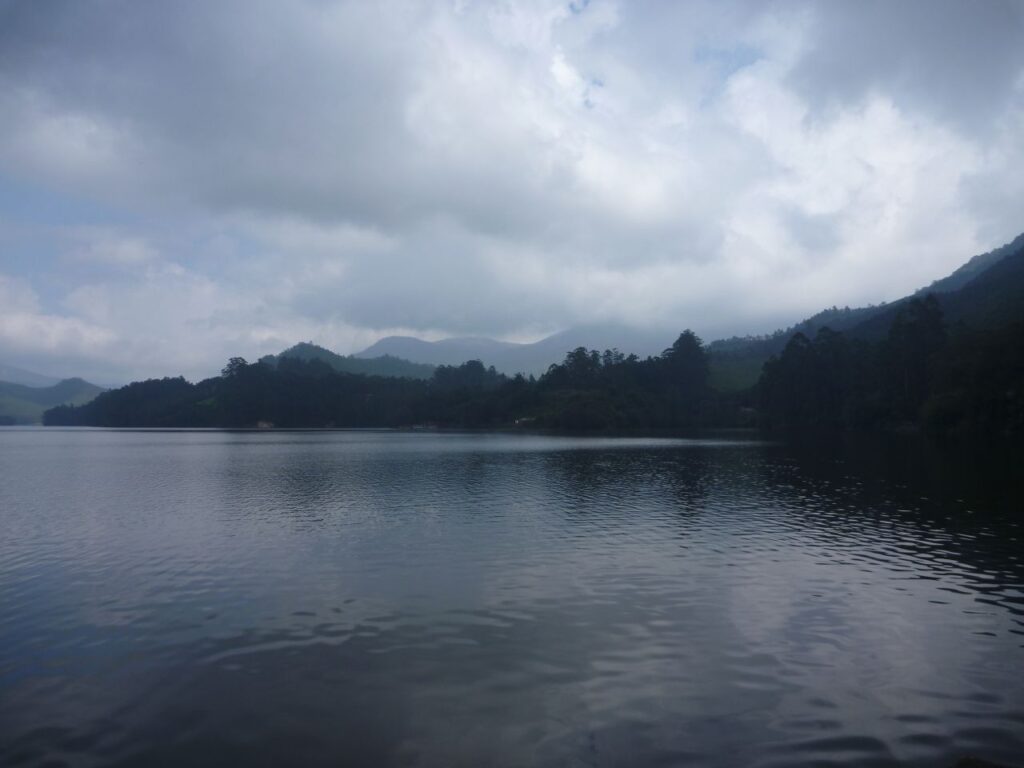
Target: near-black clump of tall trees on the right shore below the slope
column 921, row 376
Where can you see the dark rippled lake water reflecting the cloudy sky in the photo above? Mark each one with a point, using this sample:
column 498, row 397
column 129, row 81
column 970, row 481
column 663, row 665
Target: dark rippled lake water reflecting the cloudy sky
column 368, row 599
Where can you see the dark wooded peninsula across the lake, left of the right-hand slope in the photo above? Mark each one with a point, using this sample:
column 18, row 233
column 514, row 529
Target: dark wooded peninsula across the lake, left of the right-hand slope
column 589, row 391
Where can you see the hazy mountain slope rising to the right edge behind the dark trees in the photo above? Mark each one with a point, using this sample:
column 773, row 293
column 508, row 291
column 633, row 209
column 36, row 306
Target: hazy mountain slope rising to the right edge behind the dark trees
column 987, row 292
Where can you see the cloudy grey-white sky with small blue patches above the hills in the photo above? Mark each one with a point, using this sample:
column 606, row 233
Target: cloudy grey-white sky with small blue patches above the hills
column 185, row 182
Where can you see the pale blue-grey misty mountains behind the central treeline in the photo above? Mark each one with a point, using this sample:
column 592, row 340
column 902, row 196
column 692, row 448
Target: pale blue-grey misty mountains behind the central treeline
column 510, row 358
